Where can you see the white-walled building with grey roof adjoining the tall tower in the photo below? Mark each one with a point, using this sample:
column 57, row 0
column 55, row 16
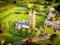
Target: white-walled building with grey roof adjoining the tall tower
column 21, row 24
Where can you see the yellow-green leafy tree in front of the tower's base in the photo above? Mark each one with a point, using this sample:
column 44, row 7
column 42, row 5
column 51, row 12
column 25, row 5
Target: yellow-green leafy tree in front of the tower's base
column 33, row 33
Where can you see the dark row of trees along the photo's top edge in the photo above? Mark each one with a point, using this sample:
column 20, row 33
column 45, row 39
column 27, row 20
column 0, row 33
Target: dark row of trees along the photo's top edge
column 24, row 2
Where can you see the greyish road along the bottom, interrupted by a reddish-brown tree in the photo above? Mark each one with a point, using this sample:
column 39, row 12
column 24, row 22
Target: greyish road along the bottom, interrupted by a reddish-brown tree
column 36, row 39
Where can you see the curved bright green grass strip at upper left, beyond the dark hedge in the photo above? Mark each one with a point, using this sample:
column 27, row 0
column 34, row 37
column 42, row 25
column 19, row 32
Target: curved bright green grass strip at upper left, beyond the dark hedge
column 6, row 13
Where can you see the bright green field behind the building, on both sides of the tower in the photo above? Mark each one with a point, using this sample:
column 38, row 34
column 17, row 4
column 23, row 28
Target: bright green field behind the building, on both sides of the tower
column 11, row 16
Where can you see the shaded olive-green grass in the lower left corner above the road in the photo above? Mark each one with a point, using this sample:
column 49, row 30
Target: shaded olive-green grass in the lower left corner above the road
column 9, row 37
